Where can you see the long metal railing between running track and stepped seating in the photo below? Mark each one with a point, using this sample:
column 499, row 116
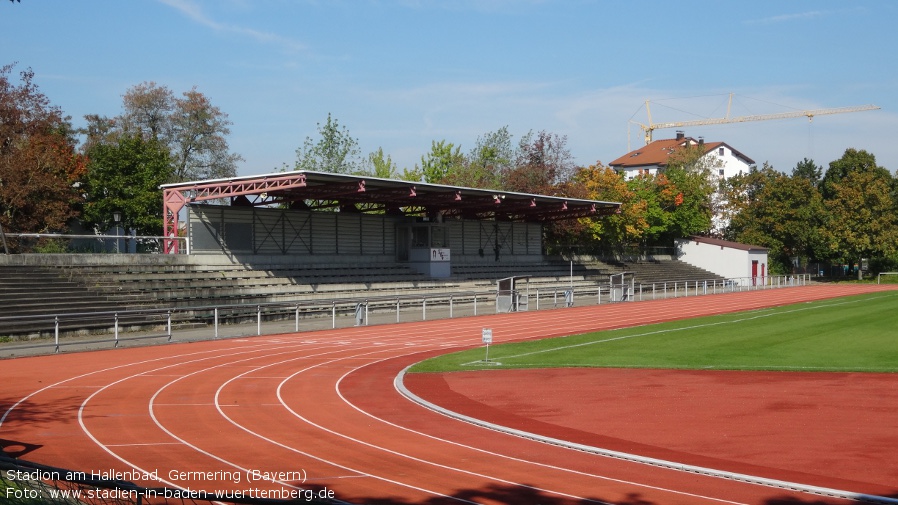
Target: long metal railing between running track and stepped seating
column 114, row 328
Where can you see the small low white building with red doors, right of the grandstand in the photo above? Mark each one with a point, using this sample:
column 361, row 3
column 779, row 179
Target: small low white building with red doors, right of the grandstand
column 745, row 264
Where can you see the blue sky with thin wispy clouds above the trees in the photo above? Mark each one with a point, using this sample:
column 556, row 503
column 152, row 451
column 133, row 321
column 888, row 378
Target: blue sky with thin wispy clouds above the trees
column 399, row 74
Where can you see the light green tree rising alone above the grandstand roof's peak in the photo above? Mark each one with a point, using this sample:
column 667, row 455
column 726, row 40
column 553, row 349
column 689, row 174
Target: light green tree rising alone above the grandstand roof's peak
column 336, row 151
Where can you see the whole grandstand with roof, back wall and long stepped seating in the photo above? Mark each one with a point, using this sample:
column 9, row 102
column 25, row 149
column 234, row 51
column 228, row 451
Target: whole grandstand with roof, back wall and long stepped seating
column 307, row 236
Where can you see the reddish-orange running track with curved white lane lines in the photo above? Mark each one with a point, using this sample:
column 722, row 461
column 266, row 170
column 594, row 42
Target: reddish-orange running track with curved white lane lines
column 321, row 407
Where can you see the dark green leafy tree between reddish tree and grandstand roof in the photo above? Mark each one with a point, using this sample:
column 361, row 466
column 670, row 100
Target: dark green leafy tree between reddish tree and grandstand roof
column 125, row 177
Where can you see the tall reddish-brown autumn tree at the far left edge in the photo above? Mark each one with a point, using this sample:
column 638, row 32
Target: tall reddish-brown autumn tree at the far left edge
column 39, row 167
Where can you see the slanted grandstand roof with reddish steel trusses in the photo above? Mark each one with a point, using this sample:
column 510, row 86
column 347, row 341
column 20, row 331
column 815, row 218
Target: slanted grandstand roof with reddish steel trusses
column 355, row 193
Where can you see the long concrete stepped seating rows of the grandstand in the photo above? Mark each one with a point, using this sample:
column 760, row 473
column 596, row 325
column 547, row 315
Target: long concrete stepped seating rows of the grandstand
column 95, row 283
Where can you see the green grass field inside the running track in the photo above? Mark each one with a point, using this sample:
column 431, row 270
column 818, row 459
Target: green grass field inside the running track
column 857, row 333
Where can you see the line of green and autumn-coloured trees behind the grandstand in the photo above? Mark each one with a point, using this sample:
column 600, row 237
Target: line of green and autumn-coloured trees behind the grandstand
column 53, row 175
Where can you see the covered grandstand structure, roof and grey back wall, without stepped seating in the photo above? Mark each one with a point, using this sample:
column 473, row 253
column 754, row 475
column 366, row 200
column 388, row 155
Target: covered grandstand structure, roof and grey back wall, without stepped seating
column 318, row 218
